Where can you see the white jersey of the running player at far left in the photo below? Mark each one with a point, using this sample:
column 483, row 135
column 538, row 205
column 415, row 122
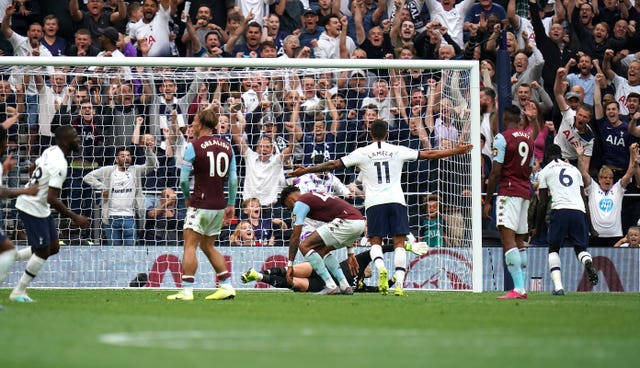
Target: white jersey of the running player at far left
column 50, row 171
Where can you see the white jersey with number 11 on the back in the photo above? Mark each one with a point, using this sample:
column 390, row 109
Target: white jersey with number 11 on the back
column 380, row 165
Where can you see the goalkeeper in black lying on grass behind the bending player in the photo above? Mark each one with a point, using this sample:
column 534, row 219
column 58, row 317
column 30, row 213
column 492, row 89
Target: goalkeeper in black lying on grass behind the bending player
column 305, row 279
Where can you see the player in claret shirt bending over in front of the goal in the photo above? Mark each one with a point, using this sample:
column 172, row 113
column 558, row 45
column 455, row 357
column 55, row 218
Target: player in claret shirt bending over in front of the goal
column 343, row 225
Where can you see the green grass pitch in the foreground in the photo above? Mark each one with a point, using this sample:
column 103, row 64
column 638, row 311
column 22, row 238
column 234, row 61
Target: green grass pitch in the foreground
column 139, row 328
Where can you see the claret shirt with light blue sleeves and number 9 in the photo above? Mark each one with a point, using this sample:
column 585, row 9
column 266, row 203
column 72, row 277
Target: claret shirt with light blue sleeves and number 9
column 513, row 148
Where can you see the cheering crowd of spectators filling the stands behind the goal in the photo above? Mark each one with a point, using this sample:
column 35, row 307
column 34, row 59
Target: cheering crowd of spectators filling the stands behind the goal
column 575, row 73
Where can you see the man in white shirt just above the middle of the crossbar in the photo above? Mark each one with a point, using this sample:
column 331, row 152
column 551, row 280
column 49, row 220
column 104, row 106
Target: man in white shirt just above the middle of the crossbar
column 334, row 42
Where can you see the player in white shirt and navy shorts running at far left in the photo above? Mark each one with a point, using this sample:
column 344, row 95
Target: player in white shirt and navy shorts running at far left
column 49, row 173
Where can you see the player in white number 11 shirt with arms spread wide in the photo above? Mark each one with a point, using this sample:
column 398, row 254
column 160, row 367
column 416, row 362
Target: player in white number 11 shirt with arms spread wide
column 380, row 165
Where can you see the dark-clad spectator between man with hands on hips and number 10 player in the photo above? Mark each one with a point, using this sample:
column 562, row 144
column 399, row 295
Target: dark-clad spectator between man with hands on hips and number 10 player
column 164, row 221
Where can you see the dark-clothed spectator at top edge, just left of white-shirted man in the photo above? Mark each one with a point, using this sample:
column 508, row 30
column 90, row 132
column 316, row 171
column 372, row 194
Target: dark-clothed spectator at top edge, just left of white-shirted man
column 96, row 17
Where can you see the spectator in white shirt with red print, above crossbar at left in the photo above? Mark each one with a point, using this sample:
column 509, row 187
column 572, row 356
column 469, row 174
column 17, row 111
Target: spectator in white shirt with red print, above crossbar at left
column 151, row 33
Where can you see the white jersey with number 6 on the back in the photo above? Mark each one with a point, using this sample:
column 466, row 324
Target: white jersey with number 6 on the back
column 564, row 182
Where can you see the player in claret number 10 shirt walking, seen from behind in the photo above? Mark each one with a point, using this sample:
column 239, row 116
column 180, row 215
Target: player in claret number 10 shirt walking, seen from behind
column 211, row 159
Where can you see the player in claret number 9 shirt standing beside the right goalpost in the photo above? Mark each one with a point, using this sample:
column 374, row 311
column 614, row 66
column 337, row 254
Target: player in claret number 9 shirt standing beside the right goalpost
column 512, row 162
